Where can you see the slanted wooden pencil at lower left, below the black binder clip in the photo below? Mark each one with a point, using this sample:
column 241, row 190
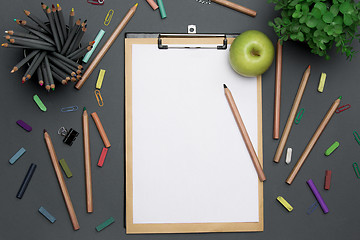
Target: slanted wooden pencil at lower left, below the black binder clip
column 61, row 181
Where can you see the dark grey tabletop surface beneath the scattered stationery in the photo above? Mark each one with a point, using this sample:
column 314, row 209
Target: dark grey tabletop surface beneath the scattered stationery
column 19, row 219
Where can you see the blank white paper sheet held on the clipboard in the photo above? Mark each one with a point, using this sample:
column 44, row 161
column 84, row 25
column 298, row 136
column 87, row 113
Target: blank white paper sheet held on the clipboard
column 190, row 163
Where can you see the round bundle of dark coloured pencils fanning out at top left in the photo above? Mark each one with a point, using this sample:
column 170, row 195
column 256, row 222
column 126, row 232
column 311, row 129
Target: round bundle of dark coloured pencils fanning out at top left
column 51, row 47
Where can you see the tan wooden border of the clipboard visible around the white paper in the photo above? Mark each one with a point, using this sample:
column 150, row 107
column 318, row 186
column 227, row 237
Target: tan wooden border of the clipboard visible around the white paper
column 132, row 228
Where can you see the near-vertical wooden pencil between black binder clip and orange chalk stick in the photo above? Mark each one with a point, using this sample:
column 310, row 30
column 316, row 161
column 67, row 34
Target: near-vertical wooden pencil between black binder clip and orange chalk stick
column 87, row 160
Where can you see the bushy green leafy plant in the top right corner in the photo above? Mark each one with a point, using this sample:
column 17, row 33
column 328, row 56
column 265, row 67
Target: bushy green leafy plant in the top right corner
column 319, row 23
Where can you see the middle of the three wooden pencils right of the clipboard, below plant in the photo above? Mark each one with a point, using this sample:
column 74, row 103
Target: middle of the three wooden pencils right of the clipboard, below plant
column 292, row 114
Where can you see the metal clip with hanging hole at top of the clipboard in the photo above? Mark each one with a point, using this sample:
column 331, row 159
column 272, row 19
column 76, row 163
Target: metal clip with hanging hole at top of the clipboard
column 191, row 34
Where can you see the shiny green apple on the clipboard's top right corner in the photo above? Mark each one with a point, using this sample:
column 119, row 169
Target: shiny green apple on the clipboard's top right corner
column 251, row 53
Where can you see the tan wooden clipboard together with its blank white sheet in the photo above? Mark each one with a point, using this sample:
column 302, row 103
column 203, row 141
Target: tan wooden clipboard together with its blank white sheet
column 160, row 159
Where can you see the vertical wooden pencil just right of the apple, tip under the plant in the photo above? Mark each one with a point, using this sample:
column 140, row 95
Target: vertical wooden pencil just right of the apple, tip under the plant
column 277, row 103
